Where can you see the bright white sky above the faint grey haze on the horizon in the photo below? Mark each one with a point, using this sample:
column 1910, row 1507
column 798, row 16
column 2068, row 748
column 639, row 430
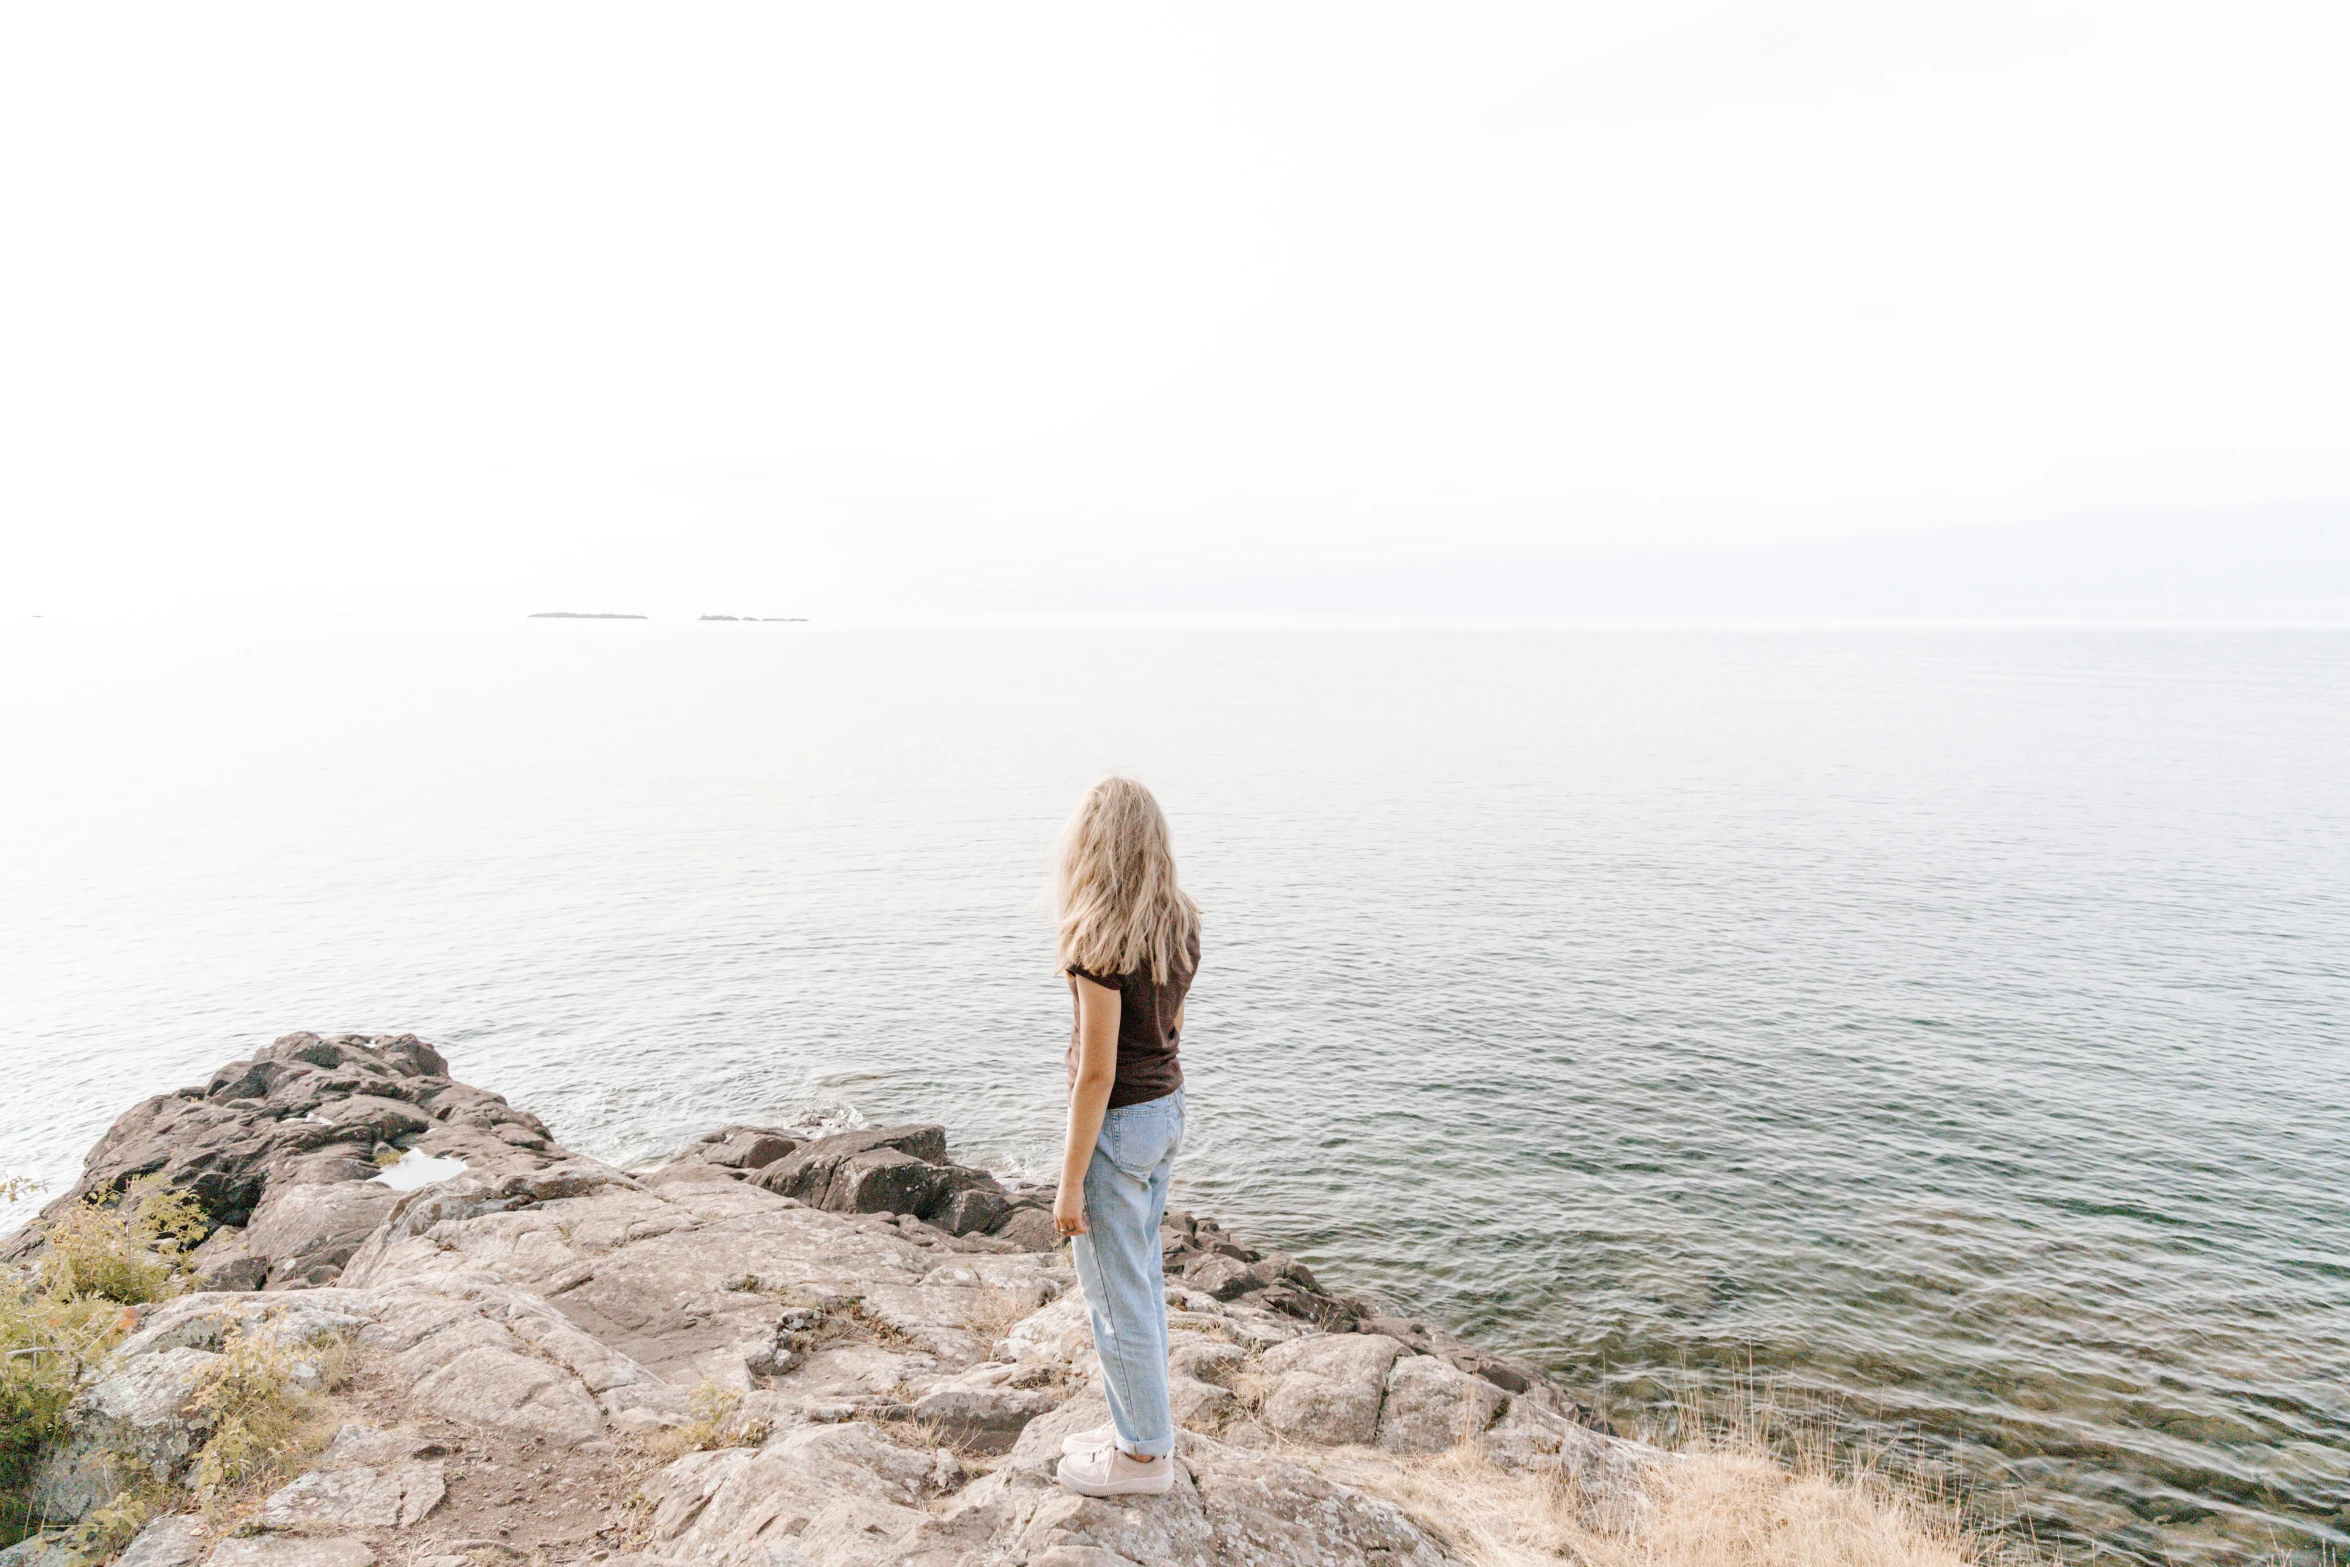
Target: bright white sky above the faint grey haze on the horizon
column 805, row 309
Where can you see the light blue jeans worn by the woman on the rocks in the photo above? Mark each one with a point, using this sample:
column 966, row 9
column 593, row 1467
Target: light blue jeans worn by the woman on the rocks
column 1117, row 1263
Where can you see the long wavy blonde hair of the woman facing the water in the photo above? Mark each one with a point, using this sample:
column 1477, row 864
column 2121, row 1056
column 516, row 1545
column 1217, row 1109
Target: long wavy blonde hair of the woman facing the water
column 1115, row 887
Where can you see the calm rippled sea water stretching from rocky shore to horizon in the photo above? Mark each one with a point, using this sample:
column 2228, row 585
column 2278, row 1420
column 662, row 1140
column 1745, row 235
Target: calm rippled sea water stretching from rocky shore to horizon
column 1952, row 1025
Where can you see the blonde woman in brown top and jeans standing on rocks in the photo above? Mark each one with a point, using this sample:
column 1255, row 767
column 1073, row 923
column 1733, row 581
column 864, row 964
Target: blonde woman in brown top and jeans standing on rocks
column 1129, row 948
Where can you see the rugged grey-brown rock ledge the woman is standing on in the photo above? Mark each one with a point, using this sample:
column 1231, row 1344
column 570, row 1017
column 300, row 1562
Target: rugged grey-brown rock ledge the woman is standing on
column 861, row 1350
